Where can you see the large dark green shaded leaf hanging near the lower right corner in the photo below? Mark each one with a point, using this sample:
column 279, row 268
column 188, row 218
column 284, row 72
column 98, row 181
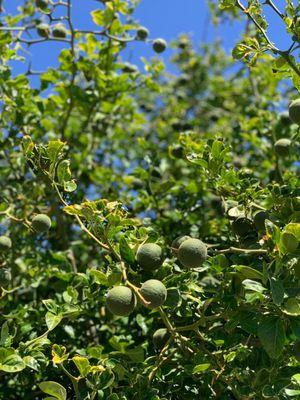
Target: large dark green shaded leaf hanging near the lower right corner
column 271, row 333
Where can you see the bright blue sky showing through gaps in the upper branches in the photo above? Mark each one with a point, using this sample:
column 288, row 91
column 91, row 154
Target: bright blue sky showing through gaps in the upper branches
column 164, row 18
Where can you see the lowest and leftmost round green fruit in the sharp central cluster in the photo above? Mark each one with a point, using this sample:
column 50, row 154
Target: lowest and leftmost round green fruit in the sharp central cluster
column 121, row 301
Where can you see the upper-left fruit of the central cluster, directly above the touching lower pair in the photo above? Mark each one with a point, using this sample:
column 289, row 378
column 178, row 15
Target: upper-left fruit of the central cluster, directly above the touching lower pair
column 149, row 256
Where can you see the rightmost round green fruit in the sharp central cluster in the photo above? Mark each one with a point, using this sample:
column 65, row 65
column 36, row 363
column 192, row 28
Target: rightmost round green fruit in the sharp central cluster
column 192, row 253
